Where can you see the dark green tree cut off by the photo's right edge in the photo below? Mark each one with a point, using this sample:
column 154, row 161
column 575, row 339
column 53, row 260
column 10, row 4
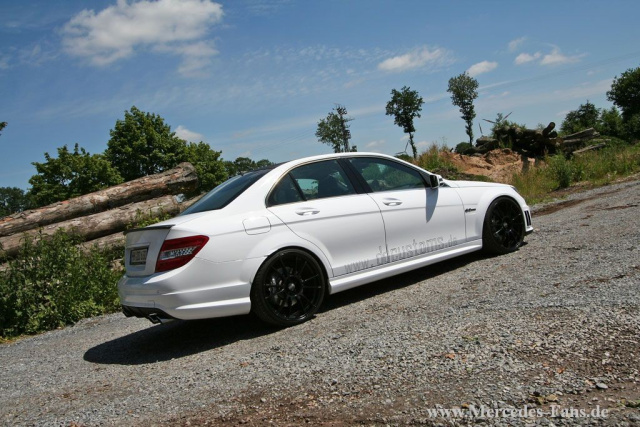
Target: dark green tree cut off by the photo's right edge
column 625, row 93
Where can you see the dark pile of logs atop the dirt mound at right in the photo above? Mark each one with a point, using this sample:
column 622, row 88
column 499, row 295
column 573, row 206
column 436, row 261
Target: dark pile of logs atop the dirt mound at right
column 535, row 142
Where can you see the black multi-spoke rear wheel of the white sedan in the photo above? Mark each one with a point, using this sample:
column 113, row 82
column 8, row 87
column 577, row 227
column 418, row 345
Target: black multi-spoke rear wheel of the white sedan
column 288, row 288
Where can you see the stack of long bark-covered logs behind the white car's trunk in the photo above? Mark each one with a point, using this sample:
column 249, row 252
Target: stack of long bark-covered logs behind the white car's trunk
column 99, row 218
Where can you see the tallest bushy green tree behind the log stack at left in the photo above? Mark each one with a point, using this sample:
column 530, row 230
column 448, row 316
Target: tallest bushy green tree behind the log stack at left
column 142, row 144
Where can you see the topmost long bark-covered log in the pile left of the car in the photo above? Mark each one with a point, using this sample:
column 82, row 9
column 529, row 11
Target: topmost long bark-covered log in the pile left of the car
column 182, row 179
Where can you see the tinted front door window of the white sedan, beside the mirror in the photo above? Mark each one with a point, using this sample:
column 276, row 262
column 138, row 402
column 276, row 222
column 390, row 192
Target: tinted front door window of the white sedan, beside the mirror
column 387, row 175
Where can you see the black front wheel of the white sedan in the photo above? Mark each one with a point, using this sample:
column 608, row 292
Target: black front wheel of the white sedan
column 503, row 229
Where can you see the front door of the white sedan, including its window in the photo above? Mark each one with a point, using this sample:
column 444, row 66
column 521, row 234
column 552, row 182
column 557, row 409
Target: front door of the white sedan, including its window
column 418, row 220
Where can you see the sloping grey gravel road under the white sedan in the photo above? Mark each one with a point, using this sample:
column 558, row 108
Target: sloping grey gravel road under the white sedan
column 548, row 335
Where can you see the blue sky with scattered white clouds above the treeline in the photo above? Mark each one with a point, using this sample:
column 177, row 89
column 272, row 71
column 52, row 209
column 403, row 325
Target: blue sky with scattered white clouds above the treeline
column 253, row 77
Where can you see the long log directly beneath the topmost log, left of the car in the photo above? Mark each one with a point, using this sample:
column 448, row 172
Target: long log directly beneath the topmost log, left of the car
column 100, row 224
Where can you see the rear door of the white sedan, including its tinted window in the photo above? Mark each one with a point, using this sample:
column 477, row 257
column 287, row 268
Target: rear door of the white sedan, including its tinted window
column 319, row 203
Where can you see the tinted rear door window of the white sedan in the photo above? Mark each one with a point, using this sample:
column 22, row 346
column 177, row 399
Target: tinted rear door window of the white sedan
column 313, row 181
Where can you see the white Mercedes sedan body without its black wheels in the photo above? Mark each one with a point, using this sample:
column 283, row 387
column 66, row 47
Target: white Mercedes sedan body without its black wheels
column 355, row 238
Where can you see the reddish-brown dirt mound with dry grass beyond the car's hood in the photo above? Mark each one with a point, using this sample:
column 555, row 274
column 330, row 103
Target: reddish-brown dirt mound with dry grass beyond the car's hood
column 499, row 165
